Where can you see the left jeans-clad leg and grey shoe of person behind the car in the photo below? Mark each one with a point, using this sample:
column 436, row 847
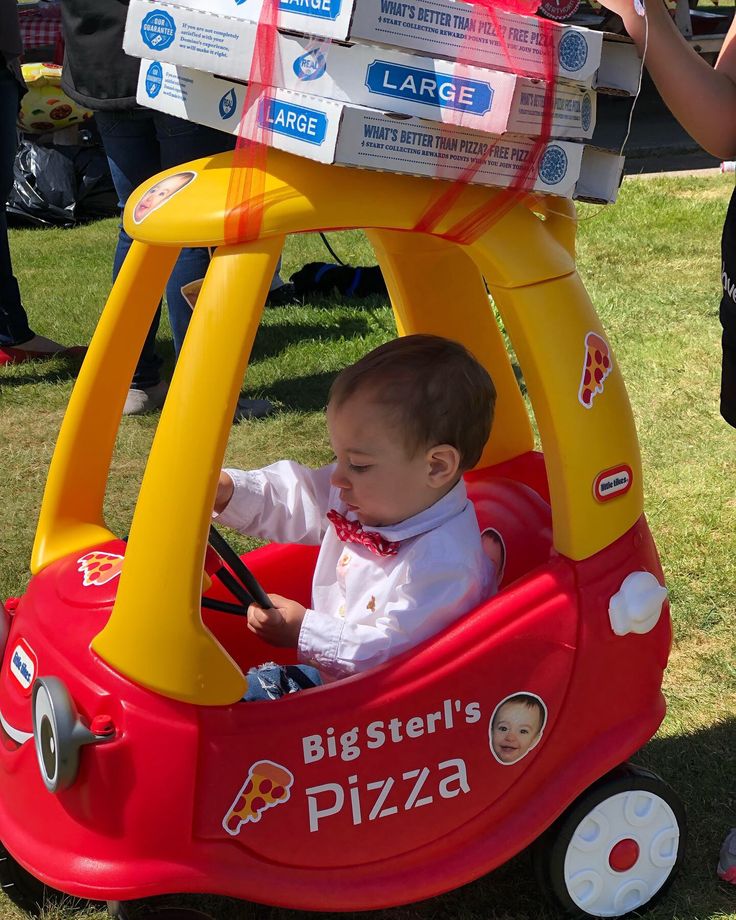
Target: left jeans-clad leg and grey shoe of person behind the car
column 129, row 139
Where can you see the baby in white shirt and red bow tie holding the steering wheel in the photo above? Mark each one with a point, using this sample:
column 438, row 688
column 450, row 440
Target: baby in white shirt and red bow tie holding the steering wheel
column 400, row 555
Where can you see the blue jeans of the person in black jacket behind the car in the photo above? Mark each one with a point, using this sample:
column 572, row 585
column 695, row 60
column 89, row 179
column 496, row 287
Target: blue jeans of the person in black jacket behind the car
column 140, row 143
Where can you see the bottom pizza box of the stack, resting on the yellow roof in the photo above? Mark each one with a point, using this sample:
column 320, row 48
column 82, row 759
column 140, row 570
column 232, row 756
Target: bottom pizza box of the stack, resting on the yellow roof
column 350, row 135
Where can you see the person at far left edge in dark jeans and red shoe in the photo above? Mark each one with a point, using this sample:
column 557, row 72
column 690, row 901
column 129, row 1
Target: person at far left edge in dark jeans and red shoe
column 18, row 342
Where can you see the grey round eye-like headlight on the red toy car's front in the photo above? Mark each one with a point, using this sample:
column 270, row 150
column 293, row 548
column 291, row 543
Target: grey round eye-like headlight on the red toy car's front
column 58, row 733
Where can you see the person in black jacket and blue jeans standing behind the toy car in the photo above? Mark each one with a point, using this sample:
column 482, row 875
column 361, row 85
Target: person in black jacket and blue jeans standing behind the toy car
column 139, row 143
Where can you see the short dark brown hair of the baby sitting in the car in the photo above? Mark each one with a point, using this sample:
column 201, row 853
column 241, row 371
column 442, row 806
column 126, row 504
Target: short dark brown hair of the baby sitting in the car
column 436, row 390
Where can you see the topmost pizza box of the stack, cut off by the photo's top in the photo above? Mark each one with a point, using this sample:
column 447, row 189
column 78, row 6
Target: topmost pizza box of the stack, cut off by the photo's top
column 451, row 29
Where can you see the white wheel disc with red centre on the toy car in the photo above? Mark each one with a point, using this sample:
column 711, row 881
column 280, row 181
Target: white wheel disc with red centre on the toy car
column 621, row 853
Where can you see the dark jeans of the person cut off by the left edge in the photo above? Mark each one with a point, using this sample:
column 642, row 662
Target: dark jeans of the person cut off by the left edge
column 14, row 328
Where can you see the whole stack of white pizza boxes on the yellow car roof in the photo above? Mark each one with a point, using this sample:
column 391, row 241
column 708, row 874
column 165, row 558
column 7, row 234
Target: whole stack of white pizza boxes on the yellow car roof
column 427, row 87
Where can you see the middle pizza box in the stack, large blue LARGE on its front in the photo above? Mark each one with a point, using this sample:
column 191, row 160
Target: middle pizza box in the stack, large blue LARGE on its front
column 408, row 84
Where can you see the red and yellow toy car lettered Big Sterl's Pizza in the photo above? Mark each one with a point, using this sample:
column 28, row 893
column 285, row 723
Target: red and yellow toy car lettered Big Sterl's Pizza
column 130, row 767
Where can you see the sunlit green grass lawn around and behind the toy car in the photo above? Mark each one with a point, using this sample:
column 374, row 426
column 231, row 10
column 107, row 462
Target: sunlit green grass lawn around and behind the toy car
column 651, row 264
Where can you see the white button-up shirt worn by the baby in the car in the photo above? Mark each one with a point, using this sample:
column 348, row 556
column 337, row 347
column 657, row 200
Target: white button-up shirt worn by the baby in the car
column 366, row 608
